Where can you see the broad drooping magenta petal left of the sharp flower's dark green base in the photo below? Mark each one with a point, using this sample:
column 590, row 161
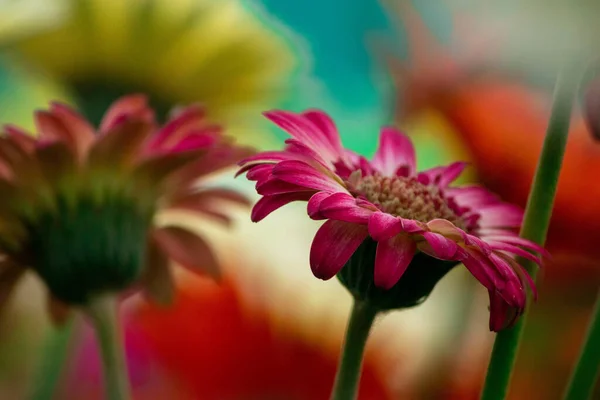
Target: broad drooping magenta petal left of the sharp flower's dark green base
column 333, row 245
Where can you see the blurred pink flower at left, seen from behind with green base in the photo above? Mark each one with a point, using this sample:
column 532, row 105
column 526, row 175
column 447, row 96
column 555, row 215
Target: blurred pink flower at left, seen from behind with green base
column 78, row 204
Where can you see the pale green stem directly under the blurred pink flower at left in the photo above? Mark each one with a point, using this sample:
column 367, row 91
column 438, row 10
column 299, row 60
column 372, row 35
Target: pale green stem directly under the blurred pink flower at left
column 104, row 316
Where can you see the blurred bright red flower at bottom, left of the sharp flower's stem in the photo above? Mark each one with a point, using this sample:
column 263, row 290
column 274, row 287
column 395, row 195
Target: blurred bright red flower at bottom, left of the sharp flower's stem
column 229, row 350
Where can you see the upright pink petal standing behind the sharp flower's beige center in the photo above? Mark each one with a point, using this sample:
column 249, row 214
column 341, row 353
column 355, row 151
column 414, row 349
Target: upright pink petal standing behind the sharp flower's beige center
column 395, row 150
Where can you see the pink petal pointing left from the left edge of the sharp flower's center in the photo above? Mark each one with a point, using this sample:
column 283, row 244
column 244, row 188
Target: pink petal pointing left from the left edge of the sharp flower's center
column 302, row 174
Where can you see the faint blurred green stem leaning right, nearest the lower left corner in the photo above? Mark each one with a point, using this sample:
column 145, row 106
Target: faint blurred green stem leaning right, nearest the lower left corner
column 54, row 355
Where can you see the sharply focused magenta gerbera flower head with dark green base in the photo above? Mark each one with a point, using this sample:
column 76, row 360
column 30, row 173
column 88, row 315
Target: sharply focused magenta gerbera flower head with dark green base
column 391, row 232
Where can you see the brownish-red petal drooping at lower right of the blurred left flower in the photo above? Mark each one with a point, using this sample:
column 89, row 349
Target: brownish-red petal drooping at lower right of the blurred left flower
column 187, row 249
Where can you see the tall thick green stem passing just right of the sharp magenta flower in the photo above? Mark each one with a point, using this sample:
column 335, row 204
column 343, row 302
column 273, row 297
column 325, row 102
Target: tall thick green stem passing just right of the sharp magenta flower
column 535, row 227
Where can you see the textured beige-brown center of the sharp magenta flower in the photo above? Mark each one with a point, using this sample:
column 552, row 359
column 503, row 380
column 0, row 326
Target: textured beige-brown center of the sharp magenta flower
column 407, row 198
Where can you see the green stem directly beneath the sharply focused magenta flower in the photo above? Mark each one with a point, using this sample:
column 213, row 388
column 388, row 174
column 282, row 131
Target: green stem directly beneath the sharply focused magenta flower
column 348, row 374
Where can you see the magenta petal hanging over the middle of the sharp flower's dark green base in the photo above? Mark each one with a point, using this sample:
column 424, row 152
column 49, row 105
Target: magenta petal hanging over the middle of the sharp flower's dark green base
column 392, row 258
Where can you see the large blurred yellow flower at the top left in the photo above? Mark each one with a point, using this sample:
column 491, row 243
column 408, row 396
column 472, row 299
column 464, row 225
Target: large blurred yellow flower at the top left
column 216, row 52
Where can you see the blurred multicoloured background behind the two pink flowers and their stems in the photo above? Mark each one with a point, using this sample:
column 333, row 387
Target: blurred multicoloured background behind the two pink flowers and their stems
column 466, row 80
